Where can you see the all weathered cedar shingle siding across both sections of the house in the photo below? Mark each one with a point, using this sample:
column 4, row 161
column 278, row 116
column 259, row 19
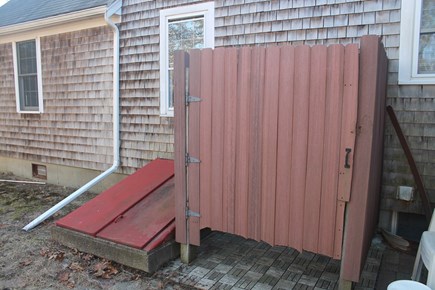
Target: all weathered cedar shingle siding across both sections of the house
column 76, row 127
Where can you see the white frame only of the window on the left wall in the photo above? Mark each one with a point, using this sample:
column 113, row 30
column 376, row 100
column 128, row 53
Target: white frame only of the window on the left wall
column 38, row 76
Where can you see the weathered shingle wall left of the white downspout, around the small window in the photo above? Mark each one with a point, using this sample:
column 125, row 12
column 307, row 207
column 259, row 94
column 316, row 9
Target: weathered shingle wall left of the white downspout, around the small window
column 76, row 126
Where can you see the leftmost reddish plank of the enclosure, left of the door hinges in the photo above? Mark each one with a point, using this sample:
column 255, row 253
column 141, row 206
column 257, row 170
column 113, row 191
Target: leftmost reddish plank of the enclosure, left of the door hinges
column 181, row 61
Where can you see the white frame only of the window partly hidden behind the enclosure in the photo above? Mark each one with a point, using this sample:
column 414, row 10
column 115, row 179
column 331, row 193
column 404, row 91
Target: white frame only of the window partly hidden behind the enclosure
column 204, row 9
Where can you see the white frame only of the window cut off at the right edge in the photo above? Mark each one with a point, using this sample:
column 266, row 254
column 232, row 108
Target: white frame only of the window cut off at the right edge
column 409, row 45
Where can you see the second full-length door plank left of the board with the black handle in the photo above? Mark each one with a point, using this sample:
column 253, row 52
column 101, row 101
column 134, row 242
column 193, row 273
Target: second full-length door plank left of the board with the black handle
column 316, row 133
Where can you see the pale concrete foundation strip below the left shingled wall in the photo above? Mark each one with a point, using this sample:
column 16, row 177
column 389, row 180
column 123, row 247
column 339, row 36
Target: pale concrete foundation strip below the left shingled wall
column 60, row 175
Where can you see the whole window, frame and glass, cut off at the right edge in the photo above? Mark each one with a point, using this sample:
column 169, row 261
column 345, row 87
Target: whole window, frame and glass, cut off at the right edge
column 417, row 42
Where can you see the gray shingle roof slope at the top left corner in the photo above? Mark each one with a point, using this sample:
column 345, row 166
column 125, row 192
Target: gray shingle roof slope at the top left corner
column 20, row 11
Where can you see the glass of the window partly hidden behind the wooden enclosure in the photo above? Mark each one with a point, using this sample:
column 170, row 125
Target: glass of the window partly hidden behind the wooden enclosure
column 182, row 35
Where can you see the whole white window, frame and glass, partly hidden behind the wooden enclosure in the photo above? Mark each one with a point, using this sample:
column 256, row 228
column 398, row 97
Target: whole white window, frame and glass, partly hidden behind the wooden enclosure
column 181, row 28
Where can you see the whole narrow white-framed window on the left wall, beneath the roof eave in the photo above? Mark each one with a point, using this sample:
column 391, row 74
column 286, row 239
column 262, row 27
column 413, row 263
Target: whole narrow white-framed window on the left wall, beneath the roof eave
column 28, row 79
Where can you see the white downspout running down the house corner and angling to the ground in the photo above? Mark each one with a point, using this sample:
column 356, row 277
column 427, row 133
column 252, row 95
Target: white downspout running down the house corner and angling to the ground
column 116, row 139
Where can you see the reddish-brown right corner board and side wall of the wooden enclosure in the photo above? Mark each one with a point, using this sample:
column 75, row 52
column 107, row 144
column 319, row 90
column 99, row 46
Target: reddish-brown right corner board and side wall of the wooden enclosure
column 361, row 214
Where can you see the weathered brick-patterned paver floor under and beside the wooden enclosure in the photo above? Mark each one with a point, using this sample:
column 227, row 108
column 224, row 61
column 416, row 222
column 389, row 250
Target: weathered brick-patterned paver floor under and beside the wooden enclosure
column 227, row 261
